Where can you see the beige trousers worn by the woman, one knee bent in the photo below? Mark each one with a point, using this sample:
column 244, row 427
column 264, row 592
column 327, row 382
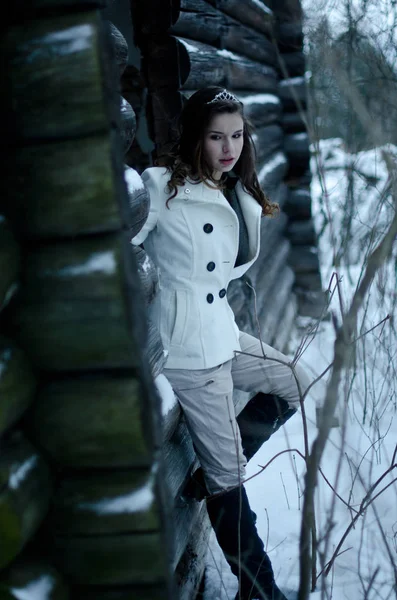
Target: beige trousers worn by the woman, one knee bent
column 206, row 397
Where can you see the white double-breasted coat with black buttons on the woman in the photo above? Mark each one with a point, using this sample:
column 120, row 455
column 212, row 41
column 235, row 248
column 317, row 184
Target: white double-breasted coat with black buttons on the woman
column 194, row 243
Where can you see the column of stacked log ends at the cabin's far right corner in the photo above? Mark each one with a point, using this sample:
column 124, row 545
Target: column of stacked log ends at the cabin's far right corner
column 293, row 94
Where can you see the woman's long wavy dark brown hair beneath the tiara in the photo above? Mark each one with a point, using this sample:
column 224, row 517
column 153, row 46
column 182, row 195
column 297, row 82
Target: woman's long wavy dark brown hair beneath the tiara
column 186, row 158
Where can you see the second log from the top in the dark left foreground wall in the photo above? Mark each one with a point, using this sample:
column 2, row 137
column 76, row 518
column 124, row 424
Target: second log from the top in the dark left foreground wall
column 62, row 189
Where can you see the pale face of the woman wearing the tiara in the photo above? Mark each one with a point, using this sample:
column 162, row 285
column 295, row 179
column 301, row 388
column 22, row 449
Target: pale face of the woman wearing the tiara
column 223, row 142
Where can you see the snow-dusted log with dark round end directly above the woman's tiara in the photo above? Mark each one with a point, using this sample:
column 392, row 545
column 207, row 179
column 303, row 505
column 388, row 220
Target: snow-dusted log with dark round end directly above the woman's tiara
column 201, row 65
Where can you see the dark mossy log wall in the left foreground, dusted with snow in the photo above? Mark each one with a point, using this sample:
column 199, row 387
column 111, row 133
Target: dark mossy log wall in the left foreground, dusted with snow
column 83, row 502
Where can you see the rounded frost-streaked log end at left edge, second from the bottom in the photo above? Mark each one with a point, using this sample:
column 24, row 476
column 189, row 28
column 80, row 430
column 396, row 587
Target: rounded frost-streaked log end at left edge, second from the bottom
column 25, row 491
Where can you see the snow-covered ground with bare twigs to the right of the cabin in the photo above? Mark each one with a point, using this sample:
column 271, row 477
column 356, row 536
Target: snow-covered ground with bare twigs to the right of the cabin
column 361, row 448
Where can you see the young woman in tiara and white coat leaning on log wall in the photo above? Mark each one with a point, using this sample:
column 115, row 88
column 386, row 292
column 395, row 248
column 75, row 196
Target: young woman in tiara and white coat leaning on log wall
column 203, row 230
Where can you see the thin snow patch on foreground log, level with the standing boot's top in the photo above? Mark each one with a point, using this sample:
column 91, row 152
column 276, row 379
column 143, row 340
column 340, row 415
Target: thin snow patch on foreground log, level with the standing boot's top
column 137, row 501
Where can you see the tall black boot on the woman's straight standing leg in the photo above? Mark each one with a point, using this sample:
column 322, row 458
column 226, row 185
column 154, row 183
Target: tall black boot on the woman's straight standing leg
column 231, row 518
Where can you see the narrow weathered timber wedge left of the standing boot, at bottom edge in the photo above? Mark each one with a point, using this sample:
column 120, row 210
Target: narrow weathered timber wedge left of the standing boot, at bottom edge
column 191, row 566
